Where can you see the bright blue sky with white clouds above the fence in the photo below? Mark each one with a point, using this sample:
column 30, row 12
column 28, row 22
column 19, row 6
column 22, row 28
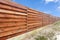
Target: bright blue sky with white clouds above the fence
column 47, row 6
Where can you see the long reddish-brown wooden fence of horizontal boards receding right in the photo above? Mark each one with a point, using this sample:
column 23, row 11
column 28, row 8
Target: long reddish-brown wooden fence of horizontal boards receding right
column 16, row 19
